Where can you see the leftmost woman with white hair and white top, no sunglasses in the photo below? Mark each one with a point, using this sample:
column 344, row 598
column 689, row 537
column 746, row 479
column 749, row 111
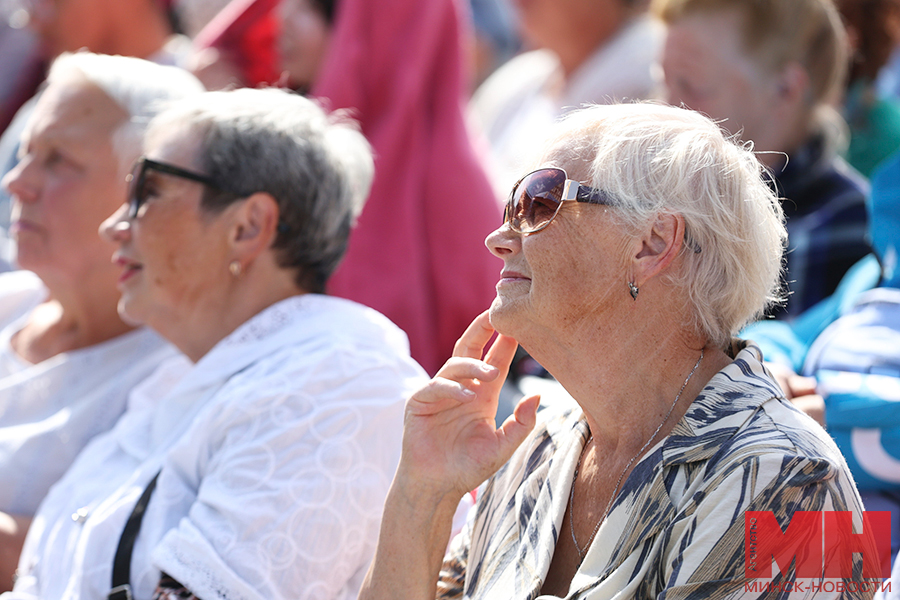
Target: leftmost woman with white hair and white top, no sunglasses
column 67, row 360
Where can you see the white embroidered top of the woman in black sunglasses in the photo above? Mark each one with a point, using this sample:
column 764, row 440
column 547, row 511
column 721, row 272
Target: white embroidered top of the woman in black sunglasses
column 277, row 449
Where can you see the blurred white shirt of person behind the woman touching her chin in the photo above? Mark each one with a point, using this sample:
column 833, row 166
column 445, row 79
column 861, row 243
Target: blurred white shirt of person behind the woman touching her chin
column 517, row 106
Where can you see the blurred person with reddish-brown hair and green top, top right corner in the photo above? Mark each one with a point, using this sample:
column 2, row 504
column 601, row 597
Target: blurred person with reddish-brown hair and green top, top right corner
column 873, row 28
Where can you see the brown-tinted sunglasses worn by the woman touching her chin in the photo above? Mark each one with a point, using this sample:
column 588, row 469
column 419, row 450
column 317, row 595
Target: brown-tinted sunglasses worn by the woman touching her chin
column 536, row 199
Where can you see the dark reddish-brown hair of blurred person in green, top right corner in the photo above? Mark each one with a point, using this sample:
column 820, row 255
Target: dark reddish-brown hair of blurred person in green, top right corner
column 874, row 27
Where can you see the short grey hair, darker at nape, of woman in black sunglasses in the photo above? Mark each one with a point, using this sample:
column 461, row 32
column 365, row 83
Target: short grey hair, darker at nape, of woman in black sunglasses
column 316, row 165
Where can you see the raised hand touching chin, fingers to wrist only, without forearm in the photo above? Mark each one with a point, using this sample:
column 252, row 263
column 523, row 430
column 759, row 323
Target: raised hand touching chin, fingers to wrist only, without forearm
column 450, row 441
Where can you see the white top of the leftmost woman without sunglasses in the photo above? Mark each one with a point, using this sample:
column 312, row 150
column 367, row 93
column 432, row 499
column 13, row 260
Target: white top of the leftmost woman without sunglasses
column 51, row 410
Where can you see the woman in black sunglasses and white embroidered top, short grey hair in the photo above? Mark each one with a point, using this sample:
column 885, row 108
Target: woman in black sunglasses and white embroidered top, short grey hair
column 257, row 467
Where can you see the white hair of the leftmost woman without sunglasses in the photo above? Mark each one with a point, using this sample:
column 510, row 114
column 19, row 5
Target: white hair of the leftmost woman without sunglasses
column 142, row 88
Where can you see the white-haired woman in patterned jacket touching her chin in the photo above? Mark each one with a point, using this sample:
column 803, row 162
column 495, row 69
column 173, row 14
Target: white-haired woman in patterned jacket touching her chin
column 631, row 258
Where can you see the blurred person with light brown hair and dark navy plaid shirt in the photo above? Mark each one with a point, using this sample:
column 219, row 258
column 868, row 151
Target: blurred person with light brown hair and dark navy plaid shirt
column 771, row 72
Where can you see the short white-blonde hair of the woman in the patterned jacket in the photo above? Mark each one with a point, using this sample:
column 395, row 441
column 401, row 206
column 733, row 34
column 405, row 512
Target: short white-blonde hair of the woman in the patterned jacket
column 655, row 160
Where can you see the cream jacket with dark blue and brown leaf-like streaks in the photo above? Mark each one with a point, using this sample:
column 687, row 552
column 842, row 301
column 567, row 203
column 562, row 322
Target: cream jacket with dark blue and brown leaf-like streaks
column 676, row 529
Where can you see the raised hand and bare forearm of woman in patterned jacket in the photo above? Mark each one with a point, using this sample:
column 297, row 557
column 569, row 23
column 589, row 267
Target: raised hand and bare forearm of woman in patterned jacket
column 450, row 445
